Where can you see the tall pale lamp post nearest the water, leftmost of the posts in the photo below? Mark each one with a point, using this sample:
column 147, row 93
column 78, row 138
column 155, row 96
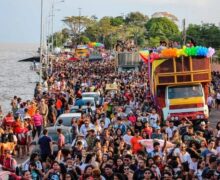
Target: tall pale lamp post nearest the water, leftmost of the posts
column 41, row 42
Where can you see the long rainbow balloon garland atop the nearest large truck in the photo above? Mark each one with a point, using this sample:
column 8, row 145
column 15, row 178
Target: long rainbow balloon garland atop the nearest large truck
column 174, row 52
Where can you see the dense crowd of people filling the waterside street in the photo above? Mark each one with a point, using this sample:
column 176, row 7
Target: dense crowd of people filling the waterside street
column 124, row 138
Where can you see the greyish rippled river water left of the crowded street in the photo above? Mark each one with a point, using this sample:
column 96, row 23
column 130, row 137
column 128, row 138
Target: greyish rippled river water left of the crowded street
column 16, row 78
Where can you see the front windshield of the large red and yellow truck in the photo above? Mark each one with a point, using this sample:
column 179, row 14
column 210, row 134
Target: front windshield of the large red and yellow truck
column 187, row 91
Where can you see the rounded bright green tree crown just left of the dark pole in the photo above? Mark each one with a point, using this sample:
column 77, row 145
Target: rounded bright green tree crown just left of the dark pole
column 161, row 27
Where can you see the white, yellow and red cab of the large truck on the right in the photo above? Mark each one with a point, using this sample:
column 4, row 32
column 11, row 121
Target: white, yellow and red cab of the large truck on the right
column 186, row 100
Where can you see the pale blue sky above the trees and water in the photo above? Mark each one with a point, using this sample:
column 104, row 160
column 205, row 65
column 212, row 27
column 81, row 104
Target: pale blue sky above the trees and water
column 20, row 19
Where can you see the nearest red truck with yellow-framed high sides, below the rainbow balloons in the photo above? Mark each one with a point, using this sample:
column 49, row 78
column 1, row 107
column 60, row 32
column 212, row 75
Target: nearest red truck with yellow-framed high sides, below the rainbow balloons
column 180, row 86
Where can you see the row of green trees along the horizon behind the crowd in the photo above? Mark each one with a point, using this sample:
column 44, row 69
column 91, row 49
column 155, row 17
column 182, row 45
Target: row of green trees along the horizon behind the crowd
column 144, row 31
